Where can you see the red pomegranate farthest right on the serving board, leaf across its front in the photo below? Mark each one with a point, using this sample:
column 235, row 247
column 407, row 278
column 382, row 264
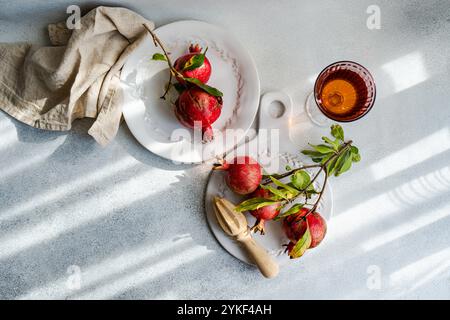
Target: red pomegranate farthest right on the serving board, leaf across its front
column 294, row 227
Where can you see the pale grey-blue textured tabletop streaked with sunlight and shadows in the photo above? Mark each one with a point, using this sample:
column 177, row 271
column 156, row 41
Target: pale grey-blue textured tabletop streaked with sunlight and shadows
column 81, row 221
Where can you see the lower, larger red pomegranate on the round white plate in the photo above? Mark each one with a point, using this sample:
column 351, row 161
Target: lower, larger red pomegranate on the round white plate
column 197, row 107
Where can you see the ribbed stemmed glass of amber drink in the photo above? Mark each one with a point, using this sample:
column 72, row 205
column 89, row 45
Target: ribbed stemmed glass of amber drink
column 344, row 92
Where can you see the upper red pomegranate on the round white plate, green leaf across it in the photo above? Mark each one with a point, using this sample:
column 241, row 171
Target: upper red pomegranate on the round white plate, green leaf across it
column 201, row 73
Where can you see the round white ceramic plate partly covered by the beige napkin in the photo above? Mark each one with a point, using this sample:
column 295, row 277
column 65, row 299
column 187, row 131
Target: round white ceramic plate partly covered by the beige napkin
column 152, row 121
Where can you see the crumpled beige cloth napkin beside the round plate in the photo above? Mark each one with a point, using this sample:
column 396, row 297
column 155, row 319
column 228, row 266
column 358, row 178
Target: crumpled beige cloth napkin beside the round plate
column 50, row 87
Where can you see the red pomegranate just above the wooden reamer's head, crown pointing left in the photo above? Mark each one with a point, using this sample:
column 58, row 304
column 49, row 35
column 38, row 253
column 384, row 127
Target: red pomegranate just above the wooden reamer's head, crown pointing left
column 243, row 174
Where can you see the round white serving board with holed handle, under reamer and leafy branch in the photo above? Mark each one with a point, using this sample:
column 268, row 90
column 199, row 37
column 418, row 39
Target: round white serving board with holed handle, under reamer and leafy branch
column 287, row 153
